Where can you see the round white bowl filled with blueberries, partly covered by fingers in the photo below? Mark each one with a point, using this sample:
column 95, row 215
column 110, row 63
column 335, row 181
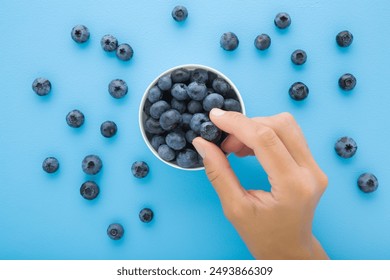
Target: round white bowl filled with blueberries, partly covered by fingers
column 175, row 110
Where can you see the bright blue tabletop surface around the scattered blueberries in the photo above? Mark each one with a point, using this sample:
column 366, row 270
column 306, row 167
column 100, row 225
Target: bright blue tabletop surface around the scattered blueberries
column 43, row 216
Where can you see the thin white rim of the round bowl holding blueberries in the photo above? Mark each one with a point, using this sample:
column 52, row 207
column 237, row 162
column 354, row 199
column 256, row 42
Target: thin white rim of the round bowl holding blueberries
column 143, row 116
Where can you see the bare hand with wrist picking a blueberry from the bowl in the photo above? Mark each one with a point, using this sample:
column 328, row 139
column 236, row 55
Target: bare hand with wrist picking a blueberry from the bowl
column 275, row 224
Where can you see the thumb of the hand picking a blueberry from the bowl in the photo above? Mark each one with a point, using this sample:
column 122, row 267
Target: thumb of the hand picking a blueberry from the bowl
column 220, row 173
